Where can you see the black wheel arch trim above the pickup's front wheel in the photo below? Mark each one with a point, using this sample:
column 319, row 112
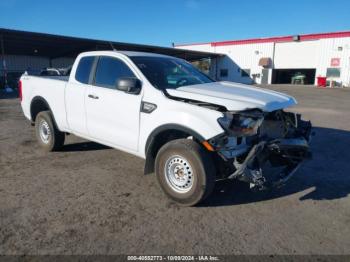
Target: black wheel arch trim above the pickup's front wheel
column 160, row 136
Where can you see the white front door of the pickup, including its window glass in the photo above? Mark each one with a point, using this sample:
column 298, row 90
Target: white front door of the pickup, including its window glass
column 112, row 115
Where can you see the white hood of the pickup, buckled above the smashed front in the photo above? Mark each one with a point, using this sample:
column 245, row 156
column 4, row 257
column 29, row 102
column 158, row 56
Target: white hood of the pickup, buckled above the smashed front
column 234, row 96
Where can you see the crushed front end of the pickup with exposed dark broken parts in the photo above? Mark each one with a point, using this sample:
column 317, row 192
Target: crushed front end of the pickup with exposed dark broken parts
column 263, row 149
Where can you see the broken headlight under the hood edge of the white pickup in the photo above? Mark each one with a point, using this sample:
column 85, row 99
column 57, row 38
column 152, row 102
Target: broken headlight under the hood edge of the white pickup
column 242, row 123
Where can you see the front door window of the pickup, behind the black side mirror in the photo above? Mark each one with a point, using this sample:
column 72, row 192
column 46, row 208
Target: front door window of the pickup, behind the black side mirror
column 109, row 70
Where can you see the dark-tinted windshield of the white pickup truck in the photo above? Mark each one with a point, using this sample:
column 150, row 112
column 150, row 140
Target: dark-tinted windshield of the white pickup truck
column 169, row 72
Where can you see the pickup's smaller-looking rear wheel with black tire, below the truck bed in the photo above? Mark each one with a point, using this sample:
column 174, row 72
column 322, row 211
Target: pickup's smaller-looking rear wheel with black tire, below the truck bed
column 55, row 138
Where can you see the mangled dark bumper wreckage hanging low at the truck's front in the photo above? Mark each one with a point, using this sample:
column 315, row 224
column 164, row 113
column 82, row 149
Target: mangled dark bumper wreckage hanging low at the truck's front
column 271, row 164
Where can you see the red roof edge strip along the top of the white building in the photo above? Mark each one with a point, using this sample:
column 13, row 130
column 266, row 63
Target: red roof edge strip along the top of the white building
column 277, row 39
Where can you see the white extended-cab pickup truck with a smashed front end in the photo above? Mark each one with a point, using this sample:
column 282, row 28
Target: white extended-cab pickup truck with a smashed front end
column 191, row 130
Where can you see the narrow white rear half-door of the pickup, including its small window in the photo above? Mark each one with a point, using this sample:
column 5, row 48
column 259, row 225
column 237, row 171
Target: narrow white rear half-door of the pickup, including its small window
column 75, row 96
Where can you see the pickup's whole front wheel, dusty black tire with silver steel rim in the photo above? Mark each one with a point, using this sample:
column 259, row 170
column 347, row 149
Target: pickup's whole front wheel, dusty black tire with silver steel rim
column 201, row 165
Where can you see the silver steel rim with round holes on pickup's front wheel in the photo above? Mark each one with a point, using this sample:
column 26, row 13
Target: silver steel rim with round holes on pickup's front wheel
column 179, row 174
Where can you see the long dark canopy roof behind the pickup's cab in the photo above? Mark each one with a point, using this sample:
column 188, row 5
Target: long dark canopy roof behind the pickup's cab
column 48, row 45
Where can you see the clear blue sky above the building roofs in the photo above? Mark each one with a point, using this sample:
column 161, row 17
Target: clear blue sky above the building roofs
column 161, row 22
